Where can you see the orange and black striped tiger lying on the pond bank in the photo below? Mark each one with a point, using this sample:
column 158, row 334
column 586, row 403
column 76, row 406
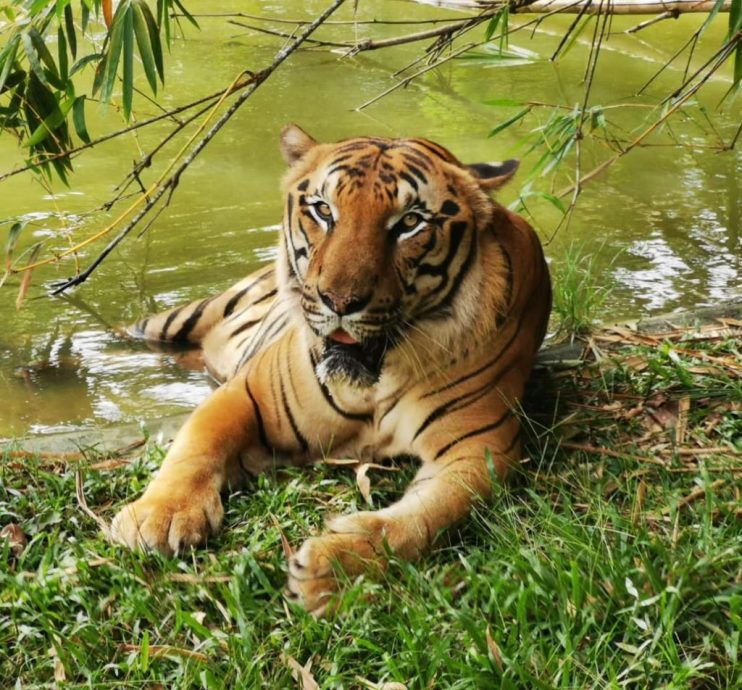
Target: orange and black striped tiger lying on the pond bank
column 401, row 317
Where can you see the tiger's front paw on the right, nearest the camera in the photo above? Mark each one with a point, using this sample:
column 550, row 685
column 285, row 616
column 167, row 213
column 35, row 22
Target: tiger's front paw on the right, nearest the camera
column 352, row 545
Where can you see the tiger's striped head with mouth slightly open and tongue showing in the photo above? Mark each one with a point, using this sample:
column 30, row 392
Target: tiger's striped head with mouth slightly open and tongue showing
column 381, row 239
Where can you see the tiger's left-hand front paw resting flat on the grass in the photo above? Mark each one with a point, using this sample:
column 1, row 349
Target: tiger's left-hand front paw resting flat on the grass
column 168, row 520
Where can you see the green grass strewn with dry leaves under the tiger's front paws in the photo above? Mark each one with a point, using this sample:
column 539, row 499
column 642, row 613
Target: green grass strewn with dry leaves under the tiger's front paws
column 592, row 570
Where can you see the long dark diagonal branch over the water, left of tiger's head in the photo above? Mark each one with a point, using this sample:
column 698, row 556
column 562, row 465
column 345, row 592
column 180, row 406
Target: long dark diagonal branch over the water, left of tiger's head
column 172, row 181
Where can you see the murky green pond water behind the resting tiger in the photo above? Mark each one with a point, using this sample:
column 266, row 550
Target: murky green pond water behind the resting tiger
column 664, row 221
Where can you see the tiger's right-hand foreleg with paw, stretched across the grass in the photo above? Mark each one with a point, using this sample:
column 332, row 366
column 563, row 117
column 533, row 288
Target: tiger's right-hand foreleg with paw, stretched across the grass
column 442, row 493
